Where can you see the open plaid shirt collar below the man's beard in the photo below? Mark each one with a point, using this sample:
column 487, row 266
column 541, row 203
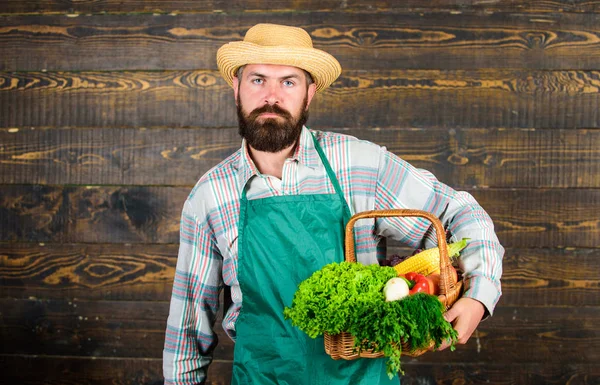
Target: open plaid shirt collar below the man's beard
column 305, row 154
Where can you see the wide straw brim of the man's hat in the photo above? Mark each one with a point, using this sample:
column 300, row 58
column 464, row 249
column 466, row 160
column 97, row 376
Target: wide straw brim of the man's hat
column 323, row 67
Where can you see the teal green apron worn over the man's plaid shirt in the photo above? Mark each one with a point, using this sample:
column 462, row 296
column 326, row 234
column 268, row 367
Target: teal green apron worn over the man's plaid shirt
column 282, row 241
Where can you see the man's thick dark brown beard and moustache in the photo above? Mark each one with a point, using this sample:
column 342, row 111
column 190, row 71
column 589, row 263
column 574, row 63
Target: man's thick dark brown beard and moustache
column 271, row 134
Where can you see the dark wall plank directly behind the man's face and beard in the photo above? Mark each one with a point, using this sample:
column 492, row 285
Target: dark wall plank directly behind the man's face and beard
column 483, row 98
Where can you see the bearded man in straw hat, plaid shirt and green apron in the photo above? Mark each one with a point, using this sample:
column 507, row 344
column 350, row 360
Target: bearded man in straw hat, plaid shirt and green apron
column 274, row 212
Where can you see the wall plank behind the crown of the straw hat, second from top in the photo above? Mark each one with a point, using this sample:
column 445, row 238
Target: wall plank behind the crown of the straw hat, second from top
column 360, row 40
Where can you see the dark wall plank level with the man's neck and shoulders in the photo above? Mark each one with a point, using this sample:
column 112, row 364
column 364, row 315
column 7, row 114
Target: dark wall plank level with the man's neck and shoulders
column 462, row 158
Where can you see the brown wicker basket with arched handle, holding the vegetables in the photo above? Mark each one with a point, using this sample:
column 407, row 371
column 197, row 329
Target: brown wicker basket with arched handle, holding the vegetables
column 342, row 345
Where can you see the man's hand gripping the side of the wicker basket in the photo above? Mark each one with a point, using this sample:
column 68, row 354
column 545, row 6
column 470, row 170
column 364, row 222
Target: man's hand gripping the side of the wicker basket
column 465, row 315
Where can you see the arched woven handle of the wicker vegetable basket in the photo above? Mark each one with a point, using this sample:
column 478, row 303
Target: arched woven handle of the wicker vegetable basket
column 447, row 281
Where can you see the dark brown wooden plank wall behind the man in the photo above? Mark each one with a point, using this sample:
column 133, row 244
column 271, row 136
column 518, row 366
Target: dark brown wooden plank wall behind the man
column 111, row 110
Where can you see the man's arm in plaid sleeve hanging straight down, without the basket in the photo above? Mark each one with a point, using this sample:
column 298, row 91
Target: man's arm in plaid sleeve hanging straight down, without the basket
column 189, row 337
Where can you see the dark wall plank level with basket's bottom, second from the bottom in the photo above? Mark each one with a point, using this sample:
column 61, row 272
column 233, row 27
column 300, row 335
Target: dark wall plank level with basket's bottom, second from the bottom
column 136, row 329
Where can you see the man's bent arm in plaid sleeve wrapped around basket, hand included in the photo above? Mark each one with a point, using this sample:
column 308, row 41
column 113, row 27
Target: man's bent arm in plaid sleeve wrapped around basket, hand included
column 401, row 185
